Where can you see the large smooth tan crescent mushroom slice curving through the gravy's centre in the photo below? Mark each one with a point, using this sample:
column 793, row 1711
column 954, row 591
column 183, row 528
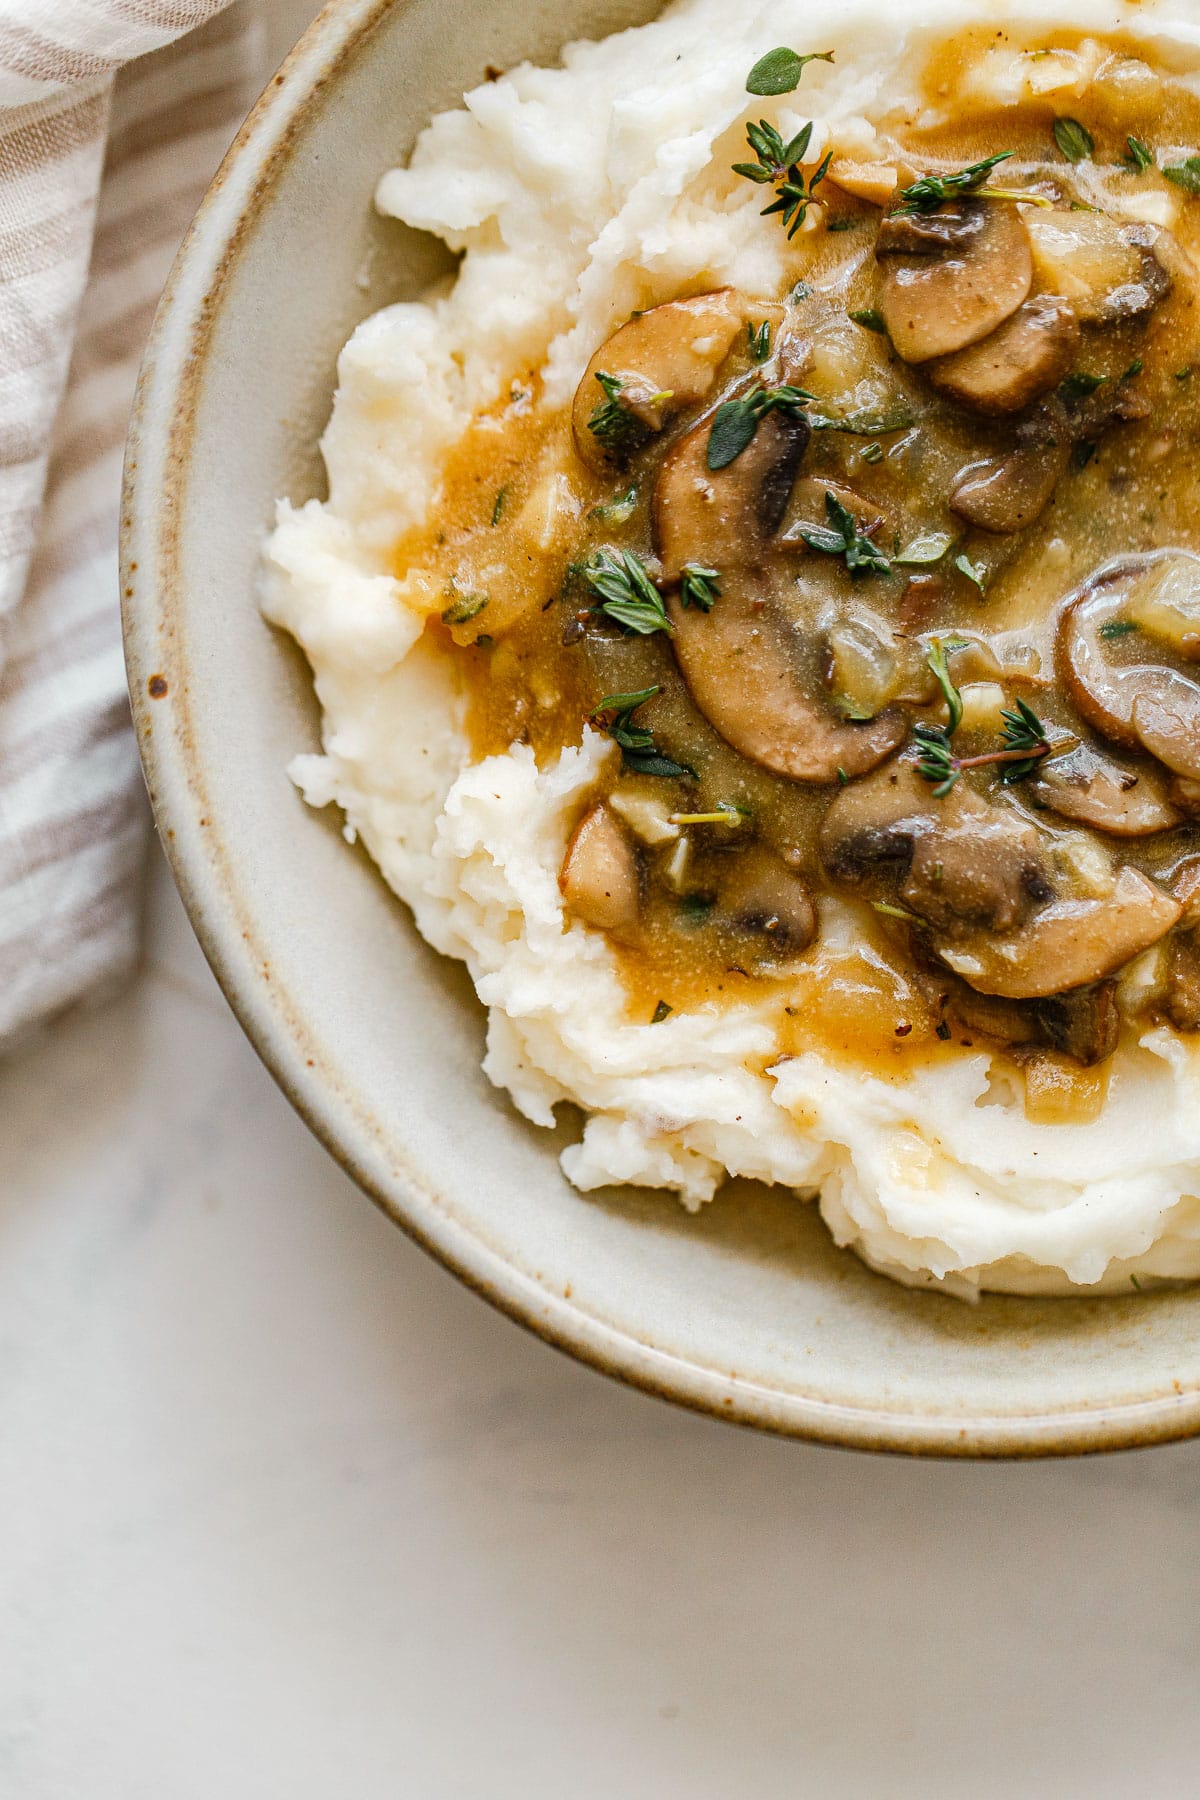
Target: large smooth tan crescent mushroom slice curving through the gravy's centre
column 757, row 679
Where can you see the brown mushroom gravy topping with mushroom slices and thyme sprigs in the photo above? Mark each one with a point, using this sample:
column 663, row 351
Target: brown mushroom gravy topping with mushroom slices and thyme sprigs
column 922, row 651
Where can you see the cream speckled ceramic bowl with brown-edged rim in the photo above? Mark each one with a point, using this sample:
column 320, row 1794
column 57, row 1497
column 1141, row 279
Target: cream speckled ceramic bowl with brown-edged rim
column 748, row 1309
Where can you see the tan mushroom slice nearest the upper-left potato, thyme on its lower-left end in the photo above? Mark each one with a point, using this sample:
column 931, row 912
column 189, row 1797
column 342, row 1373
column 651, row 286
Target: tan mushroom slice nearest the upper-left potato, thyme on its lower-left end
column 665, row 359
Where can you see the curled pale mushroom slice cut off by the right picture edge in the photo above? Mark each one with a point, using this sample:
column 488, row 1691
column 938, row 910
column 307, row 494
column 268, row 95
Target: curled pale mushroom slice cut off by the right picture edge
column 1104, row 656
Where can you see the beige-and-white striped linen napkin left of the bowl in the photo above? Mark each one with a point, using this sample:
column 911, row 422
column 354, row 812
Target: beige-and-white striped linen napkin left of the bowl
column 109, row 134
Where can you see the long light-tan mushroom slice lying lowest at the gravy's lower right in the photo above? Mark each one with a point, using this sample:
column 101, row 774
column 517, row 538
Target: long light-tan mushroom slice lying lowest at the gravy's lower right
column 1068, row 944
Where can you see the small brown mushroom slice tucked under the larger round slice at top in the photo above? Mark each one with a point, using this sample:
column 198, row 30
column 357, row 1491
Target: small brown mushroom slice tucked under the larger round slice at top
column 1026, row 357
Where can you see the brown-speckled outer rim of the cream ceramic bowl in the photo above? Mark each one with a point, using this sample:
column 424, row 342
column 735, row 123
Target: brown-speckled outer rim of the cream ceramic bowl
column 152, row 597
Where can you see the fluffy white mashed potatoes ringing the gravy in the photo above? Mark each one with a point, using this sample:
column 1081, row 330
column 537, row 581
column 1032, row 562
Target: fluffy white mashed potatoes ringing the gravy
column 577, row 195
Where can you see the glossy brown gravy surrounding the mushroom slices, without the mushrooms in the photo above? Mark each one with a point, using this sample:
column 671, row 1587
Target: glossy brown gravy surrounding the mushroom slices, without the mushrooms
column 524, row 514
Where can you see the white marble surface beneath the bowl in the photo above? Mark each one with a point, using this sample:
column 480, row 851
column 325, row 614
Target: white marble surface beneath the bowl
column 287, row 1513
